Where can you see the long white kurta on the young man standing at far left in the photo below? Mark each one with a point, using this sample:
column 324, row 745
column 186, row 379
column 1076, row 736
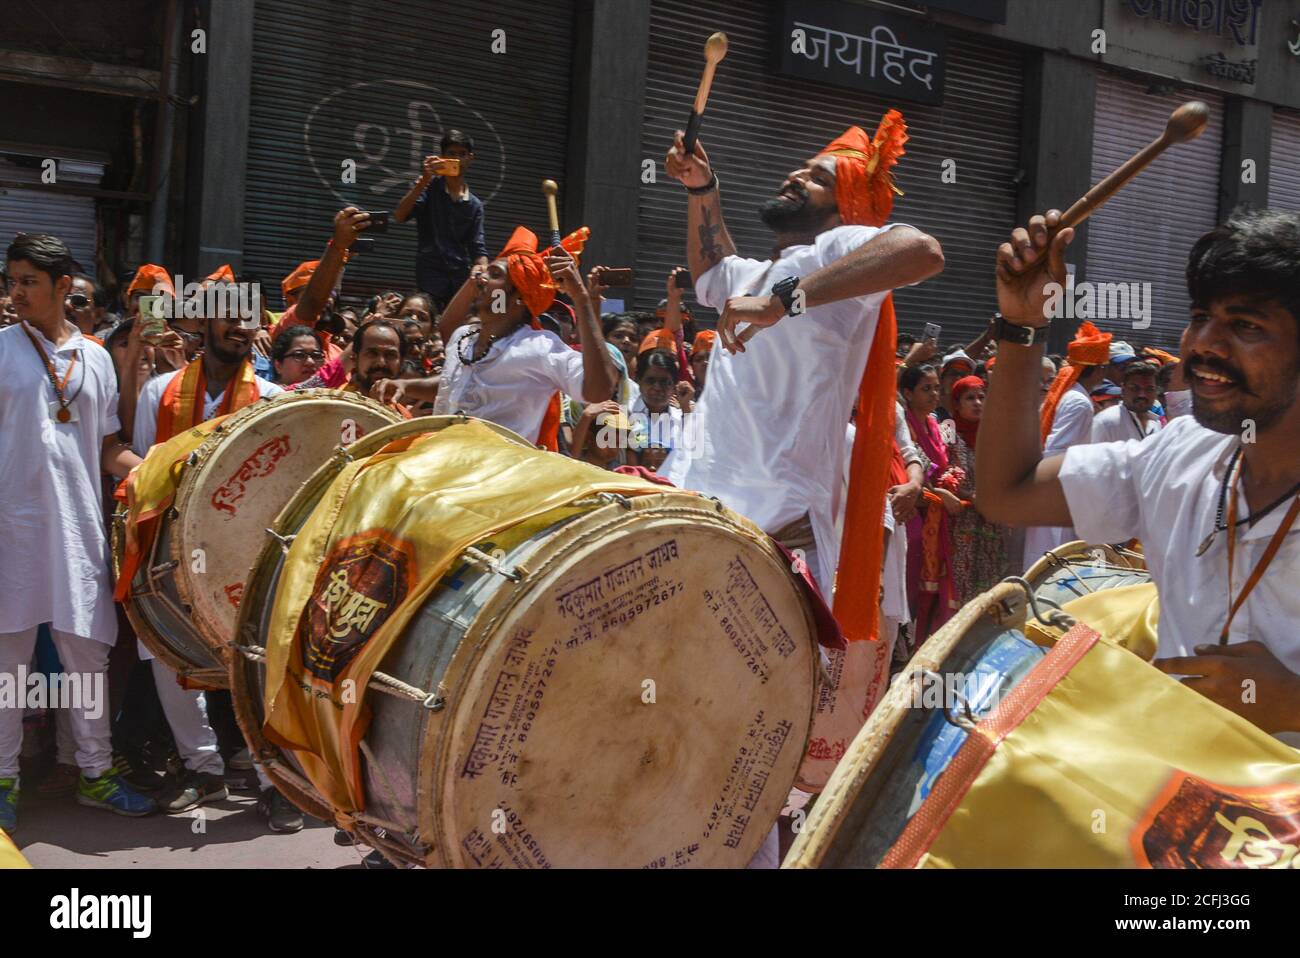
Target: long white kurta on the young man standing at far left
column 54, row 547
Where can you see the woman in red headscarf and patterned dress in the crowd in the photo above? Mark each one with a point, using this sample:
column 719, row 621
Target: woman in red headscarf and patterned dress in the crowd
column 978, row 547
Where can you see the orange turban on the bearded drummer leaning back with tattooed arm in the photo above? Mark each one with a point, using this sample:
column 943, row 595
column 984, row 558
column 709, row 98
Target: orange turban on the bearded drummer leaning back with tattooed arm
column 864, row 171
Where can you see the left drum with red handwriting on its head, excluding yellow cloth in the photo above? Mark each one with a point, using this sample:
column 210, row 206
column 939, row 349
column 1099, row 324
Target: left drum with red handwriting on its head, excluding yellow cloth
column 185, row 597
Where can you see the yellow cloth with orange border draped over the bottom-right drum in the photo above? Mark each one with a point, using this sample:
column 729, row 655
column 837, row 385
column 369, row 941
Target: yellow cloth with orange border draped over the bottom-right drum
column 1099, row 760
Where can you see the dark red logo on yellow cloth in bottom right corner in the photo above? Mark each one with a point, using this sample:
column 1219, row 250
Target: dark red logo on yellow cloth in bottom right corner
column 1198, row 825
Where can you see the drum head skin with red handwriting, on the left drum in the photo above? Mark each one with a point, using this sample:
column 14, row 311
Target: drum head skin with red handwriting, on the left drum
column 244, row 475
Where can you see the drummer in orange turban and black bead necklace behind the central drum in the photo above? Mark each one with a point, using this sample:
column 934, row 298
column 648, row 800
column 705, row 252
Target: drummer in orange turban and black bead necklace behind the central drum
column 501, row 365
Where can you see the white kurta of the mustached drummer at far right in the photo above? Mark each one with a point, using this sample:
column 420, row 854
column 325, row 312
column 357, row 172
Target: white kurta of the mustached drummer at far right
column 1165, row 492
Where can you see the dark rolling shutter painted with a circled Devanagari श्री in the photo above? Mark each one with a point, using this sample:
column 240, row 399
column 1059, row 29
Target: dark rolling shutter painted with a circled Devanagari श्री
column 427, row 67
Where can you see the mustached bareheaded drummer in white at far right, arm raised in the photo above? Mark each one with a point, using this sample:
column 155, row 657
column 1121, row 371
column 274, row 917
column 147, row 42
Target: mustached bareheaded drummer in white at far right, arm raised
column 1215, row 496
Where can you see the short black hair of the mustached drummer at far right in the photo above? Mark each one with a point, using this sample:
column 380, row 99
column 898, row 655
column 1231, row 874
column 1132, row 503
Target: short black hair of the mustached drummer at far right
column 1255, row 254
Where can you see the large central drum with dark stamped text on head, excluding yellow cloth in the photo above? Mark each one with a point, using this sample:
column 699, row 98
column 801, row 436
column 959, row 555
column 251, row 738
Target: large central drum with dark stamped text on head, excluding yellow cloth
column 627, row 687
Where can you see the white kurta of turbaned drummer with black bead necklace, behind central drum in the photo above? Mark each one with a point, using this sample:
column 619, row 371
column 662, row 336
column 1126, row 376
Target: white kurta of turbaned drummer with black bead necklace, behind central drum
column 514, row 383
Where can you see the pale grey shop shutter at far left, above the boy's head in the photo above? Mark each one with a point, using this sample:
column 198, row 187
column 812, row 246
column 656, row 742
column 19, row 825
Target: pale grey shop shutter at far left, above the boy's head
column 72, row 219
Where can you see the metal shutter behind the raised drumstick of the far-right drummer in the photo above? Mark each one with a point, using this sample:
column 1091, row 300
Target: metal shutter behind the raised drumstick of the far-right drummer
column 1147, row 231
